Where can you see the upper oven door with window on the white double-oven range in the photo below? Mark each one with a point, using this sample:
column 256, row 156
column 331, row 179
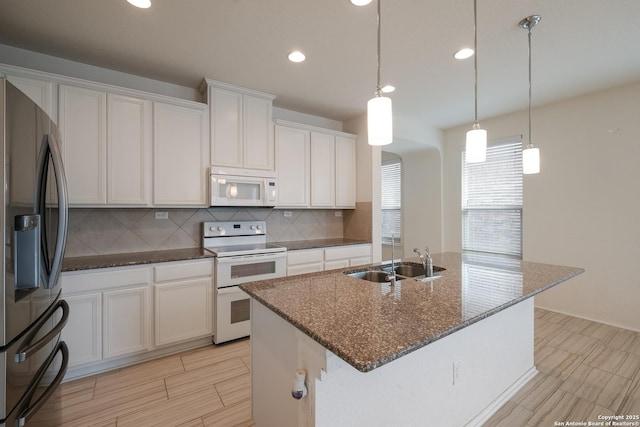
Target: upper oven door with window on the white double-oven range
column 235, row 270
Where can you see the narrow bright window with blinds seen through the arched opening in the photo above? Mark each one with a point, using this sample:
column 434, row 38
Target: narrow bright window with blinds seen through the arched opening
column 391, row 174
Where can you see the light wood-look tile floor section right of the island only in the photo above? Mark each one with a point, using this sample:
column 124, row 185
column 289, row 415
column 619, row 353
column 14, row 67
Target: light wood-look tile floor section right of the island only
column 585, row 369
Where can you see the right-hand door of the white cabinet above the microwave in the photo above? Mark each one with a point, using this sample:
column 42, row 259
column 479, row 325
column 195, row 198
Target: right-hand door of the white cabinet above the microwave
column 258, row 133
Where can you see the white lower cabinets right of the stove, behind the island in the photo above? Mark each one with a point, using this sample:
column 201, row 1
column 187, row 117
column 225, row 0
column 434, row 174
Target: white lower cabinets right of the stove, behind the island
column 314, row 260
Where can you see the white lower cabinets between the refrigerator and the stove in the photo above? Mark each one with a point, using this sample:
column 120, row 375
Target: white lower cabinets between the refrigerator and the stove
column 123, row 315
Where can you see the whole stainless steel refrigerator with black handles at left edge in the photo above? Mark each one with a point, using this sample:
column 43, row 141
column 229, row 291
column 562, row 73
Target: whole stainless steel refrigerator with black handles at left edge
column 33, row 358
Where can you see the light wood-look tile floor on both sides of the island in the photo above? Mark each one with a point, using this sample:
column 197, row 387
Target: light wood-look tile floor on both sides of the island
column 585, row 369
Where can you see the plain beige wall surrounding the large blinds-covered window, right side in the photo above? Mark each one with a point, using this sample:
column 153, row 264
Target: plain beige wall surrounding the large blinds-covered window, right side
column 582, row 209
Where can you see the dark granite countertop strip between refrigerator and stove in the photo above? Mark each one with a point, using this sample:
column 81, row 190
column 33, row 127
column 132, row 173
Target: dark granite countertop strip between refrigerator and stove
column 133, row 258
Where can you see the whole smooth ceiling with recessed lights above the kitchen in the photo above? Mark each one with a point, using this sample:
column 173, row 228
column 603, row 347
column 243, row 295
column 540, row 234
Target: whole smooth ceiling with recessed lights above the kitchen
column 580, row 46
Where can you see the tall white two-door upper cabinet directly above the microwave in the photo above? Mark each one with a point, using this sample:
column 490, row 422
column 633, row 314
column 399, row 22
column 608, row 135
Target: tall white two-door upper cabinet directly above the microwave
column 241, row 126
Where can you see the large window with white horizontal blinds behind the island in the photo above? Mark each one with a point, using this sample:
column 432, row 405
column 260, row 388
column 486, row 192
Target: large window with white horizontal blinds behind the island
column 492, row 200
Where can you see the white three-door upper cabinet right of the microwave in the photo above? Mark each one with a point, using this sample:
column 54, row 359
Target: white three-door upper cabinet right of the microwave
column 315, row 167
